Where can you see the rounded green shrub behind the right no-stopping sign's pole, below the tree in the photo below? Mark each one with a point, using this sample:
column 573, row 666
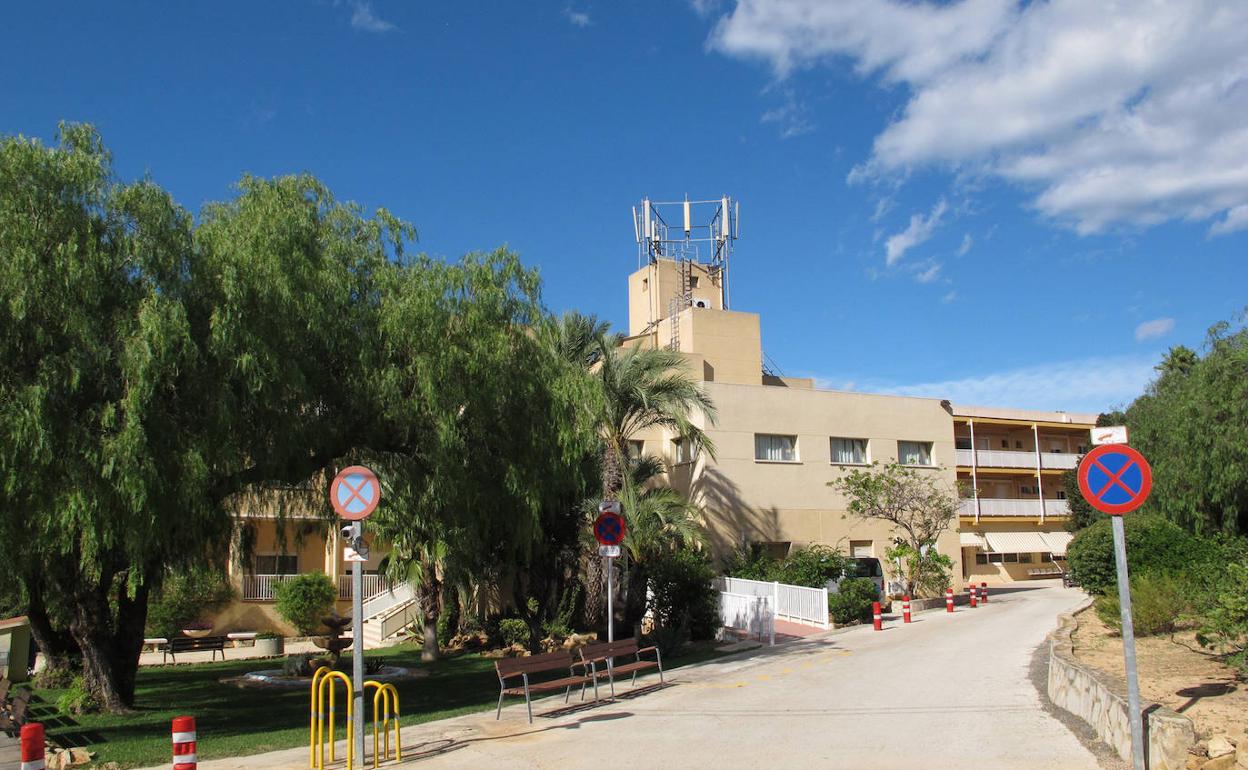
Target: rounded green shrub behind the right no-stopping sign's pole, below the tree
column 1155, row 546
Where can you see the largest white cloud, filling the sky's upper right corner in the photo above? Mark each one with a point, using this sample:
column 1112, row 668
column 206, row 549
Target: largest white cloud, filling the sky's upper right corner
column 1113, row 113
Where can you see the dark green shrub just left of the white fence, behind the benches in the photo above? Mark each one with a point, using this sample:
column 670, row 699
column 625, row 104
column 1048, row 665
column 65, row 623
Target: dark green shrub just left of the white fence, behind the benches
column 682, row 595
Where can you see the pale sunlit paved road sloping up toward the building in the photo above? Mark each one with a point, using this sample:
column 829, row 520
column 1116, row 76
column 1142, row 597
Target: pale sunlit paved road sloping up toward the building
column 945, row 692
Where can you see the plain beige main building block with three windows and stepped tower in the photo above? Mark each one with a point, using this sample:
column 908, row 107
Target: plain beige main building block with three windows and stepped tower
column 778, row 441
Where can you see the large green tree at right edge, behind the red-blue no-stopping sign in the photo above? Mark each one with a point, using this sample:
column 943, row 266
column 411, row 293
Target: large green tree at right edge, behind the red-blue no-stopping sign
column 1192, row 425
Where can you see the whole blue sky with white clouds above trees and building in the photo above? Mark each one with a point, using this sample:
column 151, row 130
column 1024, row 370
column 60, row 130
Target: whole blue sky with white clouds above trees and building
column 1003, row 204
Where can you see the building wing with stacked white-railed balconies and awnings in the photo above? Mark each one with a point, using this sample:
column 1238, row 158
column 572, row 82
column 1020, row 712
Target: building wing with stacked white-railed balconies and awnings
column 1014, row 522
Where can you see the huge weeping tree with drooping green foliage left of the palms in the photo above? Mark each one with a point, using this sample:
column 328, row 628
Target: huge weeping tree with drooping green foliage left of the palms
column 157, row 368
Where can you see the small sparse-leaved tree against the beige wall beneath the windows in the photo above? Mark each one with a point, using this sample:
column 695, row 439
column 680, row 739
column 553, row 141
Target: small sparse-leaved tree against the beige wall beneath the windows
column 914, row 502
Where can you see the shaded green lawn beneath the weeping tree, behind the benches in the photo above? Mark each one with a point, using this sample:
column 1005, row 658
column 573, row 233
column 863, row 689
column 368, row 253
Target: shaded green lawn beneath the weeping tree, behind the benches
column 235, row 722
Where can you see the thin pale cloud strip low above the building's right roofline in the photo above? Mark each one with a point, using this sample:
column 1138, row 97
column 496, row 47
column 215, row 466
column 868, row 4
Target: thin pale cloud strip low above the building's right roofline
column 1090, row 385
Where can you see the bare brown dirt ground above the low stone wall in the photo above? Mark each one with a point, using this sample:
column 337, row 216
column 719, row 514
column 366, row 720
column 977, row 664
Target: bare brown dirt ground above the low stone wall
column 1174, row 672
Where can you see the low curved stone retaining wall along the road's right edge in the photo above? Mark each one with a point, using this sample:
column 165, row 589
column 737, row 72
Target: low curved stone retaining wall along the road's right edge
column 1100, row 699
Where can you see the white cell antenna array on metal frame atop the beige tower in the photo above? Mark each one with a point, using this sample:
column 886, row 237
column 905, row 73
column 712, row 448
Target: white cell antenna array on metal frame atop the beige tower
column 707, row 235
